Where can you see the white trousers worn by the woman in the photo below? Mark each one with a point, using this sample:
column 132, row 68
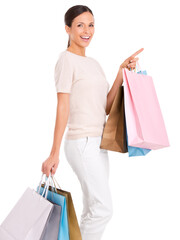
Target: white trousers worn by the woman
column 91, row 165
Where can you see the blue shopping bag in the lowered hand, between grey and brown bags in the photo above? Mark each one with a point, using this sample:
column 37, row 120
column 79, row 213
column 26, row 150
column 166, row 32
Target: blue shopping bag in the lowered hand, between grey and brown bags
column 61, row 201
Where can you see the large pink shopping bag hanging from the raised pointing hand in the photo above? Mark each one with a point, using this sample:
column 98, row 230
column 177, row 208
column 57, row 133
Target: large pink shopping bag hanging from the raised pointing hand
column 145, row 124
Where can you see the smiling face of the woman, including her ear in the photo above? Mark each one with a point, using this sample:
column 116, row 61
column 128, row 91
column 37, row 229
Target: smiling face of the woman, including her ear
column 82, row 29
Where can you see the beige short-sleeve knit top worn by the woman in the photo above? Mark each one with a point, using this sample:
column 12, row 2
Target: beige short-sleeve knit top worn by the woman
column 84, row 79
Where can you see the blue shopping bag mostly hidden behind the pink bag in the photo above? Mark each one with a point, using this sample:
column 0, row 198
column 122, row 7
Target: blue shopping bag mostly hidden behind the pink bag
column 135, row 151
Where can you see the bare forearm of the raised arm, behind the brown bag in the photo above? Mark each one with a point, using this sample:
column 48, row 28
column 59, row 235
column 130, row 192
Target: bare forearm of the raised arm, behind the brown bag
column 112, row 93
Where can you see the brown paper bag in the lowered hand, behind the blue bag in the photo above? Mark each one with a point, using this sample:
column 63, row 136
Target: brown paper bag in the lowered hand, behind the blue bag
column 74, row 230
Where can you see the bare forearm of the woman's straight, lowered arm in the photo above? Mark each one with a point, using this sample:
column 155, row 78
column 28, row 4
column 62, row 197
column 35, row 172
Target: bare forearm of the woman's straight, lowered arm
column 60, row 125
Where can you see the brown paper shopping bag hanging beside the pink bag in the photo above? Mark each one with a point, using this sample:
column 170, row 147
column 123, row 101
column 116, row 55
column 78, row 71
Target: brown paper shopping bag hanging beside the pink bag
column 114, row 135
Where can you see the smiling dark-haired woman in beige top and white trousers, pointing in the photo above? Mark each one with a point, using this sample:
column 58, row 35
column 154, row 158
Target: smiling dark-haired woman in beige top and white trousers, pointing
column 83, row 103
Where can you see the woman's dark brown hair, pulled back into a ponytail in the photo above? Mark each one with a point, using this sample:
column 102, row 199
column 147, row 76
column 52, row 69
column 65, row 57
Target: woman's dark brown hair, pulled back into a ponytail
column 74, row 12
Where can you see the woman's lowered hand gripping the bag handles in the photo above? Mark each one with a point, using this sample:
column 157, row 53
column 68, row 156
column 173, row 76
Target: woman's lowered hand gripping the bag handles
column 50, row 165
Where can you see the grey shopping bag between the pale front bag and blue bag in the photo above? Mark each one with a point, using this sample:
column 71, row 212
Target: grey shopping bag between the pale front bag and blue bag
column 51, row 229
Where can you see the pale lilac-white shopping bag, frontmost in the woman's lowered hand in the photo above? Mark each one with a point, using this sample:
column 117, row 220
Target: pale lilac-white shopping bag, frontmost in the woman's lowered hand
column 27, row 219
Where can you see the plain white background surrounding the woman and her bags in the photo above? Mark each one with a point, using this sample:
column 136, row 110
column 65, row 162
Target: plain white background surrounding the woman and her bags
column 145, row 190
